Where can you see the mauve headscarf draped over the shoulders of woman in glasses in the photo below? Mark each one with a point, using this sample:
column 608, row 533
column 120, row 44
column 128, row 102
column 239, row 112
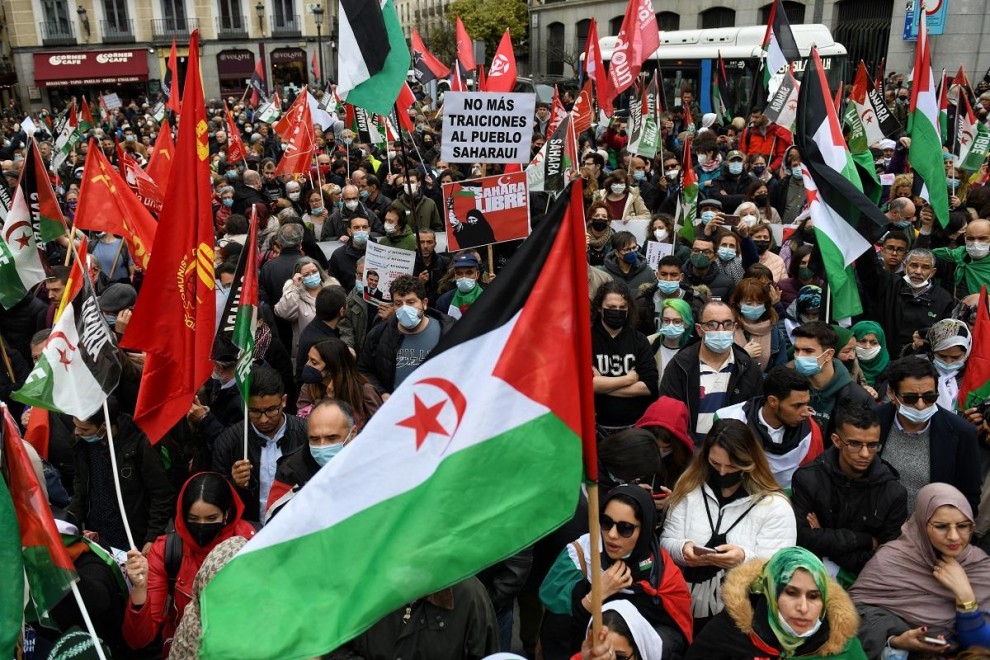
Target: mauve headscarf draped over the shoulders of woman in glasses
column 899, row 578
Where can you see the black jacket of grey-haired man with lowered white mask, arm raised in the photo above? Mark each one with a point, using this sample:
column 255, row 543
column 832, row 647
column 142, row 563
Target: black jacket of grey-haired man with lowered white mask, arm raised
column 894, row 306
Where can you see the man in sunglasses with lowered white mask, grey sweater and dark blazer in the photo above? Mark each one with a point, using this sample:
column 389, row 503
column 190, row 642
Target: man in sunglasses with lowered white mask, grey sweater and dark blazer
column 923, row 442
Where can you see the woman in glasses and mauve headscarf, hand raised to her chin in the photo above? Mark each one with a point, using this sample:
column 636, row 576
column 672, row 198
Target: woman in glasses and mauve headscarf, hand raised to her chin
column 925, row 591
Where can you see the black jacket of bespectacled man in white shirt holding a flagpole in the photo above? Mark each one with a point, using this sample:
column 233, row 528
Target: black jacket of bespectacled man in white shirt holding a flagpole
column 229, row 448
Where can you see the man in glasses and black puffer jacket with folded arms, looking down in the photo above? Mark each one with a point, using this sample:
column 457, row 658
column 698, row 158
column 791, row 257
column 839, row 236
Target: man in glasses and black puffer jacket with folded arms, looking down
column 849, row 501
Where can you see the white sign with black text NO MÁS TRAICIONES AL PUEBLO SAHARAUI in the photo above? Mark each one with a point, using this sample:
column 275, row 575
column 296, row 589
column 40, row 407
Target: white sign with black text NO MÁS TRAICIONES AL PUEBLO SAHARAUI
column 482, row 127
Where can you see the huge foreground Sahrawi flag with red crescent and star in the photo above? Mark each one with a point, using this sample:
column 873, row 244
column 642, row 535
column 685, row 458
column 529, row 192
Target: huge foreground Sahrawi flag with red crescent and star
column 475, row 456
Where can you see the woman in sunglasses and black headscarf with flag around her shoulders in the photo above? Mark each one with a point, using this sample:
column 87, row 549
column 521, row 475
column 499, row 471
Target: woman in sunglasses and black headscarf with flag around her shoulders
column 635, row 569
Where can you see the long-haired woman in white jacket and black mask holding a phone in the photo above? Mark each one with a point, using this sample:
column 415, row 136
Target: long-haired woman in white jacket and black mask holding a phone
column 726, row 509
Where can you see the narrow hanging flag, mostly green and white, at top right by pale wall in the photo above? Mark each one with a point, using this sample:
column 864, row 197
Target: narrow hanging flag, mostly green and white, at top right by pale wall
column 925, row 152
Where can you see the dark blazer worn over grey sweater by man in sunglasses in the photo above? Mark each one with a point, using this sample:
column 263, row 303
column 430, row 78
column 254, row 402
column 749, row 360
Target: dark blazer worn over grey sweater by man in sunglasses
column 956, row 458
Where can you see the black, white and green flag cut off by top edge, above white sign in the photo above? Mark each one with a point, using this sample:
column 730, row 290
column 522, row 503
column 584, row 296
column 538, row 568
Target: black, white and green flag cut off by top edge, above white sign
column 373, row 59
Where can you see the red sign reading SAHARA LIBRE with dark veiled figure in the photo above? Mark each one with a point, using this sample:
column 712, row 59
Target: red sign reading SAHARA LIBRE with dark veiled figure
column 485, row 211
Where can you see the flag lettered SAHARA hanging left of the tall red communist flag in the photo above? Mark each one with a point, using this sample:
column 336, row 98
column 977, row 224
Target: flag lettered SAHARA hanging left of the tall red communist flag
column 79, row 366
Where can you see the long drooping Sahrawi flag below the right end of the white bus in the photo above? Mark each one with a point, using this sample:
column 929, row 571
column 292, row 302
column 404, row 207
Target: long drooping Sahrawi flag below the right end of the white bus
column 840, row 211
